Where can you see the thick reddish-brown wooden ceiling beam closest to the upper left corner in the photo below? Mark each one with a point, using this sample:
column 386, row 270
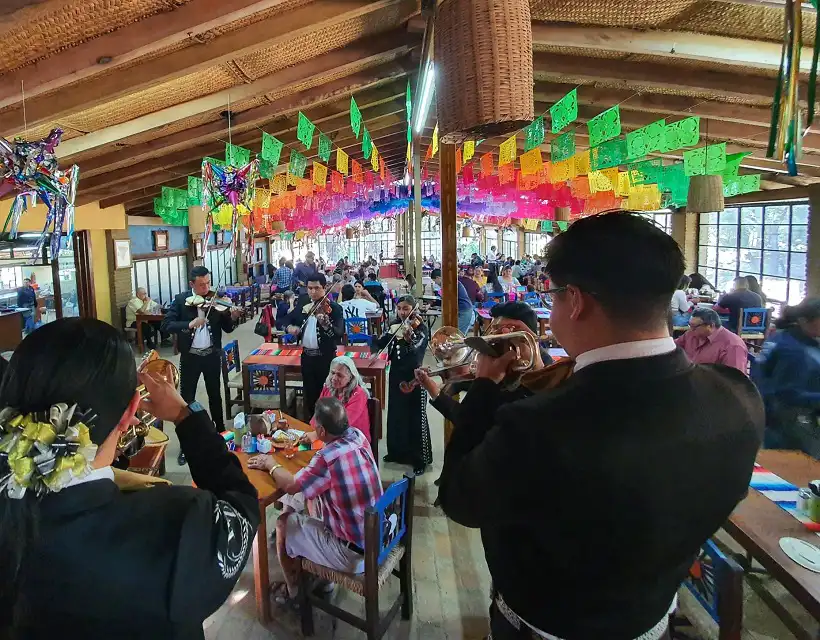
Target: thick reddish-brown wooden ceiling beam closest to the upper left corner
column 160, row 31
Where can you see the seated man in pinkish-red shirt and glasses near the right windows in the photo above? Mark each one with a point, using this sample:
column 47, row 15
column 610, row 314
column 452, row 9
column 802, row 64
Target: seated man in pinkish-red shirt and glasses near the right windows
column 707, row 342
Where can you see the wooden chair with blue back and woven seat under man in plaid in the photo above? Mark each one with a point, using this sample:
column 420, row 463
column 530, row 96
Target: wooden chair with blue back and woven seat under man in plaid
column 387, row 551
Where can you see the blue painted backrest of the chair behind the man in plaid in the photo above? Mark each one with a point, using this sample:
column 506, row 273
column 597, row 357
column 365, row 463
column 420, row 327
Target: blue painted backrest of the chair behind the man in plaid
column 389, row 520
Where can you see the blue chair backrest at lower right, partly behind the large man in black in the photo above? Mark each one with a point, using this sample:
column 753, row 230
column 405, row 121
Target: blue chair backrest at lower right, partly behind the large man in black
column 716, row 582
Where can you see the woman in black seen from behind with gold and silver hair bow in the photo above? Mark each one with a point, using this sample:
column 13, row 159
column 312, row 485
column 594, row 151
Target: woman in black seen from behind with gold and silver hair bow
column 78, row 557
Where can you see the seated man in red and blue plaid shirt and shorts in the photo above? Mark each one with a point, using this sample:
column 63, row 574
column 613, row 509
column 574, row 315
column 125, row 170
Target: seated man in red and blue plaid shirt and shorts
column 341, row 482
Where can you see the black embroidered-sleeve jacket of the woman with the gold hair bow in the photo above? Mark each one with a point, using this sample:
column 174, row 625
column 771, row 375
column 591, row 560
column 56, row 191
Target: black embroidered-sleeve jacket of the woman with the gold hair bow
column 146, row 564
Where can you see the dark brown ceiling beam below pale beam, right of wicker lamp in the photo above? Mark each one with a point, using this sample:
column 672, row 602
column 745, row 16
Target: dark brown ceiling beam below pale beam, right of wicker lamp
column 648, row 76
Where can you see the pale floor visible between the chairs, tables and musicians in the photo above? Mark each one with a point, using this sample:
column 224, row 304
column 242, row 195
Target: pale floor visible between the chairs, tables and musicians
column 450, row 576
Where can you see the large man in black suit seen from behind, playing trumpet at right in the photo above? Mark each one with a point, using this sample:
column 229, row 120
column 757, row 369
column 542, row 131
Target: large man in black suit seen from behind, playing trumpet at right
column 620, row 430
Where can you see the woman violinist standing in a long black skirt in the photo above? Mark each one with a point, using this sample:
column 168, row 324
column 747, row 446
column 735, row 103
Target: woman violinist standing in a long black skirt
column 408, row 435
